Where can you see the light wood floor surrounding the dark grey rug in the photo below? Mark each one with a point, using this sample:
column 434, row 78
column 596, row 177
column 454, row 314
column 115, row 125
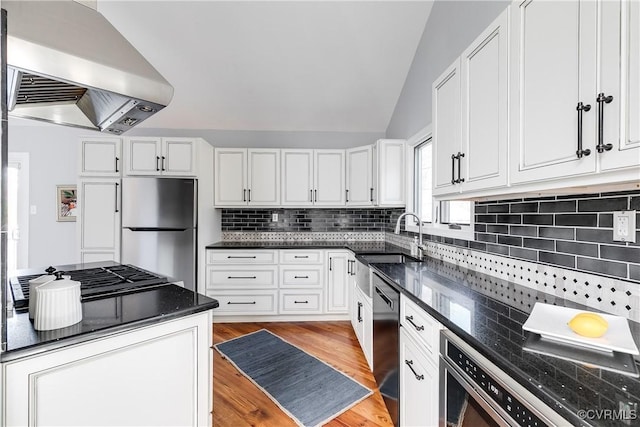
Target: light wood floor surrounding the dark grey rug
column 238, row 403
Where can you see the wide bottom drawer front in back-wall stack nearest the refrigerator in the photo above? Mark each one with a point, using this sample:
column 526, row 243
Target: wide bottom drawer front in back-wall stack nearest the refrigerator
column 239, row 303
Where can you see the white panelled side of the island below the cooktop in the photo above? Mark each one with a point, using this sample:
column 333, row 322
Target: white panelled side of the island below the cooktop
column 120, row 379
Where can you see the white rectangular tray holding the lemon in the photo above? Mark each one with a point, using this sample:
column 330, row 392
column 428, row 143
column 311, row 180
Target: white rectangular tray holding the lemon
column 550, row 321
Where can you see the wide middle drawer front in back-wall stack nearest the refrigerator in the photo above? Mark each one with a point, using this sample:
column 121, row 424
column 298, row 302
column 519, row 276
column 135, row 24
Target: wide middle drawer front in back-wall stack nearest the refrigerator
column 242, row 277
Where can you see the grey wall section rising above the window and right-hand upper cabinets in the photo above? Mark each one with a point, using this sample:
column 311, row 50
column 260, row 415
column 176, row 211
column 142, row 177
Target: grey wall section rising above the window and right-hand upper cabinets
column 451, row 27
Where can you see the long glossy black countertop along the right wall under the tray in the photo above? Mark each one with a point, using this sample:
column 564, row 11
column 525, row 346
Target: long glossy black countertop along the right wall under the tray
column 498, row 309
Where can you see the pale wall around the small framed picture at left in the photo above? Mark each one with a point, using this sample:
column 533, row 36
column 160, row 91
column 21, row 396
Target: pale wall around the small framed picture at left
column 52, row 161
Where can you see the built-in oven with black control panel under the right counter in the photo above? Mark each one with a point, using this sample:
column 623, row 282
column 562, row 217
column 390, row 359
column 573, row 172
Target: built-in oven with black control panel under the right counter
column 474, row 392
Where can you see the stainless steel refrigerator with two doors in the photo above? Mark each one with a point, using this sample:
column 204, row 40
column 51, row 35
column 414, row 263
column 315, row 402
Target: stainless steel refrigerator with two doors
column 159, row 223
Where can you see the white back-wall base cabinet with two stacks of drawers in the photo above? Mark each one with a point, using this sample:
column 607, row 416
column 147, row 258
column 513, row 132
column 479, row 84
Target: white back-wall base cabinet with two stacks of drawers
column 251, row 283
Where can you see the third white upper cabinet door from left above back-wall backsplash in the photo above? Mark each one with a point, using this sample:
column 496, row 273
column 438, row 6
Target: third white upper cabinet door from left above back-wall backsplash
column 297, row 177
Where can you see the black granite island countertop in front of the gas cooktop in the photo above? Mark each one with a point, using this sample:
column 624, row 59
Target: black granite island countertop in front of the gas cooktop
column 105, row 316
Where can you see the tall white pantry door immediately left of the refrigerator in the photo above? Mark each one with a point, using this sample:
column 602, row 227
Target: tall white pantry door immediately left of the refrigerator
column 100, row 216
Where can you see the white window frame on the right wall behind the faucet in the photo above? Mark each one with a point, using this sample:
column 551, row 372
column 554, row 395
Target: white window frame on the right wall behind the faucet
column 466, row 232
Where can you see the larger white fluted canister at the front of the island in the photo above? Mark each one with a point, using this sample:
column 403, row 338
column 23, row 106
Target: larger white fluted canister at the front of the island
column 57, row 305
